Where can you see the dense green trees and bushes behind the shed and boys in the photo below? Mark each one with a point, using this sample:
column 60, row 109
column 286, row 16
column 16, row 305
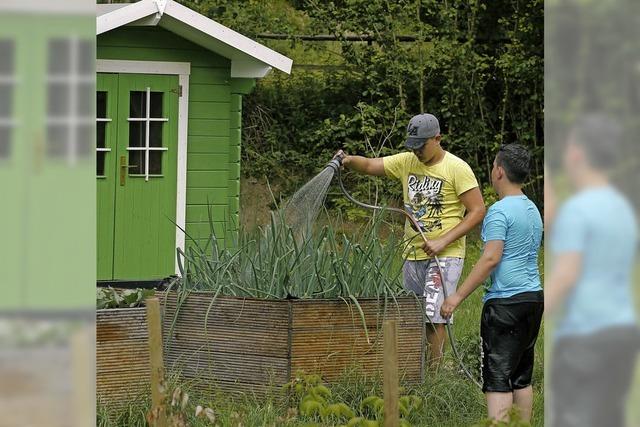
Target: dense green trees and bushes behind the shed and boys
column 477, row 65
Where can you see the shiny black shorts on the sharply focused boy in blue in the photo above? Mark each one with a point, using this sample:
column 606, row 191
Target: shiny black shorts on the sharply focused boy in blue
column 509, row 328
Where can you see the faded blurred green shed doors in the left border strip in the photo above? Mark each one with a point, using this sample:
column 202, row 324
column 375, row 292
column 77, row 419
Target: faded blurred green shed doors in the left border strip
column 48, row 204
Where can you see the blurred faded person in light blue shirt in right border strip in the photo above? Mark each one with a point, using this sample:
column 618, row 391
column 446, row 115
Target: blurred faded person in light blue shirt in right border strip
column 589, row 288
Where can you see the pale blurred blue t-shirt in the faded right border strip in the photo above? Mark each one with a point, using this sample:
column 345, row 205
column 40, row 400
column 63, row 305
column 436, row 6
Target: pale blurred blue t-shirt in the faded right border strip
column 599, row 224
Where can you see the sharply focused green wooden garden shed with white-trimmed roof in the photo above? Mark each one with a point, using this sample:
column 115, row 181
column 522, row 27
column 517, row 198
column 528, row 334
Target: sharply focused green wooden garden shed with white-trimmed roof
column 169, row 100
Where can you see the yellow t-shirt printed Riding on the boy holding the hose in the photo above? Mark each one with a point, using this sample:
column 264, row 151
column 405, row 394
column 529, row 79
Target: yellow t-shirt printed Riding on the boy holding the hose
column 431, row 195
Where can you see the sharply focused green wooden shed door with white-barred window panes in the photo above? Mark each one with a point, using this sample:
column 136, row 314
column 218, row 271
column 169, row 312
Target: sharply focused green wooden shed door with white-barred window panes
column 137, row 191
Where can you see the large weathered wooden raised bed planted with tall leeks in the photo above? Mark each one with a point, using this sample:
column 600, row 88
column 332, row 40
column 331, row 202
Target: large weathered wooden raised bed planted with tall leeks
column 248, row 345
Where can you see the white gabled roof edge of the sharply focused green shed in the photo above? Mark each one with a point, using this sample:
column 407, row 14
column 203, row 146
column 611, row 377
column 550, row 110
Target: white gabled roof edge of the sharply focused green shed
column 248, row 58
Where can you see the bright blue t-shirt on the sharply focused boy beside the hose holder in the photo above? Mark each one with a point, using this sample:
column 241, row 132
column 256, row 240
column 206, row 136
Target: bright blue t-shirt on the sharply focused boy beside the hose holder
column 516, row 221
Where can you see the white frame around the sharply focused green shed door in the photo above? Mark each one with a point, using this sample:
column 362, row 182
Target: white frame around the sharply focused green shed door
column 182, row 70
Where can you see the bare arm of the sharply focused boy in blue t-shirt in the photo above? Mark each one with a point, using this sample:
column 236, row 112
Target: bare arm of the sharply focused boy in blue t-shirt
column 491, row 256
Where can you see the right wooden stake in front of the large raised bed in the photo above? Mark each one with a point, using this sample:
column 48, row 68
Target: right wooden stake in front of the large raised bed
column 390, row 375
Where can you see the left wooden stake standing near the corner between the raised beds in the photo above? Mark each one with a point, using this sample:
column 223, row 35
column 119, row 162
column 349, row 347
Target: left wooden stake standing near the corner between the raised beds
column 157, row 416
